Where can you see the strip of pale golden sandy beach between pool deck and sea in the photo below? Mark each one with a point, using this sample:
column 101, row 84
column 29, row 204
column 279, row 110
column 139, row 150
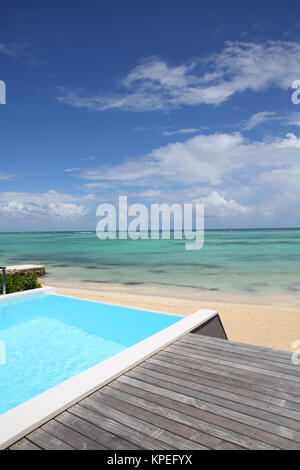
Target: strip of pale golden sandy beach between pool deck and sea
column 264, row 321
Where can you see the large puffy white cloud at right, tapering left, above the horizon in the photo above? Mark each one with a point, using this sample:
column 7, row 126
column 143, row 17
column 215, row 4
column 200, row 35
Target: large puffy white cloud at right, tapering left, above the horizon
column 231, row 174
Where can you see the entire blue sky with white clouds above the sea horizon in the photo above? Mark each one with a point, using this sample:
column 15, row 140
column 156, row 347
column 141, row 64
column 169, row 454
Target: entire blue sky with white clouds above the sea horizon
column 164, row 102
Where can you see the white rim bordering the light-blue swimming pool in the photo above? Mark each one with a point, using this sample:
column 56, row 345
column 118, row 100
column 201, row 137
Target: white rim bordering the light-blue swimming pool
column 19, row 421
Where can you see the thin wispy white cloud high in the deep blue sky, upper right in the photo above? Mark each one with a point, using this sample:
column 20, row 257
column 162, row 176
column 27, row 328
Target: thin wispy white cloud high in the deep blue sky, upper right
column 156, row 85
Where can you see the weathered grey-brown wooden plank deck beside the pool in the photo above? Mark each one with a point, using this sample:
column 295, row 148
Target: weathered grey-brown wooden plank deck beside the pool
column 198, row 393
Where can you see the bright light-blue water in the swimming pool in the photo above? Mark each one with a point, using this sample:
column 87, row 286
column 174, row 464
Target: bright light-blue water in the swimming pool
column 50, row 338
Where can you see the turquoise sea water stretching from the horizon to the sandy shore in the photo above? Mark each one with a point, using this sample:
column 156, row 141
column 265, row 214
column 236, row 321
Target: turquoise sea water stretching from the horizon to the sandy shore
column 239, row 261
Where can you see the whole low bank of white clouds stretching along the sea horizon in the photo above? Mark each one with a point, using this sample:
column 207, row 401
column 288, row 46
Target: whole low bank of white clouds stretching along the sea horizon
column 237, row 180
